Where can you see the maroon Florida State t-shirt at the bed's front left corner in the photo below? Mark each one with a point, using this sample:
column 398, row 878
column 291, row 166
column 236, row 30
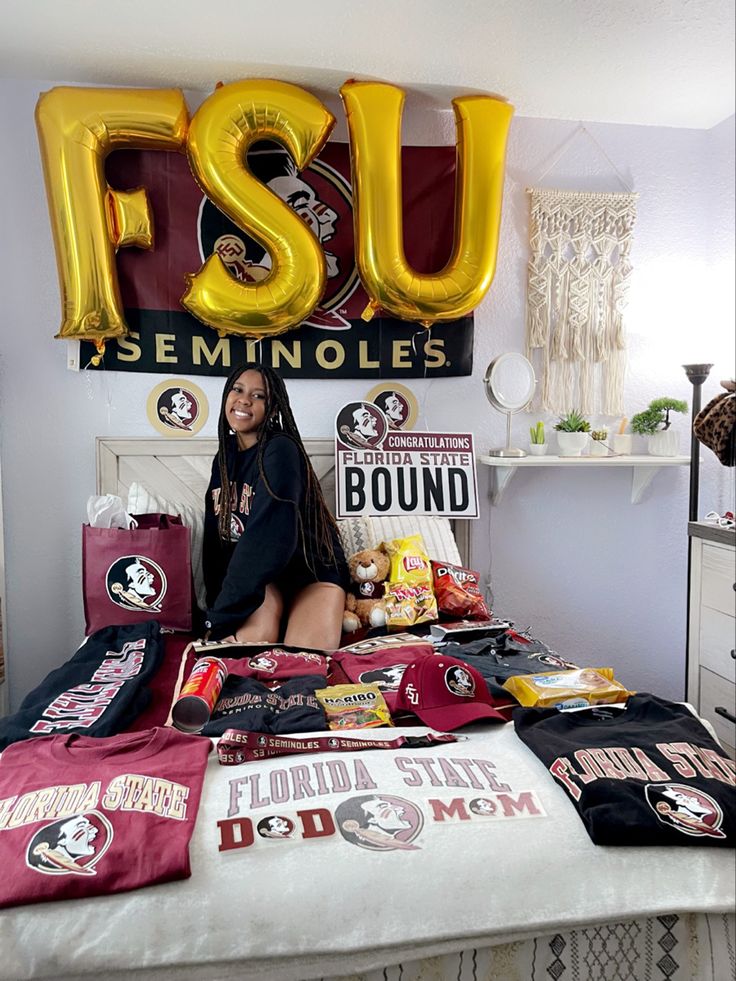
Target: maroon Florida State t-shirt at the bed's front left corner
column 81, row 816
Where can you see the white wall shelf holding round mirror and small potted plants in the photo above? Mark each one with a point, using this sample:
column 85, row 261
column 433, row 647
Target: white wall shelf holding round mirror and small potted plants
column 644, row 468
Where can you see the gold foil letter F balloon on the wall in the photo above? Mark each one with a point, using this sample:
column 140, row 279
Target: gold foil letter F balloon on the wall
column 77, row 128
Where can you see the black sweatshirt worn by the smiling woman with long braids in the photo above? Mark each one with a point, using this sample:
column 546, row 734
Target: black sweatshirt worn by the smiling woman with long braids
column 266, row 544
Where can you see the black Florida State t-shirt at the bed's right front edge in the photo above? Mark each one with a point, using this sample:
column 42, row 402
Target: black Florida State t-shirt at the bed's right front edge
column 649, row 774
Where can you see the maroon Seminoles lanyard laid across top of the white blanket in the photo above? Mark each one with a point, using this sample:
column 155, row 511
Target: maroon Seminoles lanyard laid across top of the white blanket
column 238, row 746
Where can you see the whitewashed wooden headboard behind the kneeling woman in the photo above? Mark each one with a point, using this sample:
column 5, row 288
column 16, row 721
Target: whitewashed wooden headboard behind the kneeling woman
column 180, row 471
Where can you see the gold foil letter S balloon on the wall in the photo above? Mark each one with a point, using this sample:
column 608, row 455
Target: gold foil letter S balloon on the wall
column 222, row 129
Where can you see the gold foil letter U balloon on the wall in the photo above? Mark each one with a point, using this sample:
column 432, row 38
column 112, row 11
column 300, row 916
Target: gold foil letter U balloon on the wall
column 374, row 122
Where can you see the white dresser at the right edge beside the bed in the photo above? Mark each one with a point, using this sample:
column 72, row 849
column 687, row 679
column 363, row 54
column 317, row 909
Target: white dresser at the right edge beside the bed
column 711, row 667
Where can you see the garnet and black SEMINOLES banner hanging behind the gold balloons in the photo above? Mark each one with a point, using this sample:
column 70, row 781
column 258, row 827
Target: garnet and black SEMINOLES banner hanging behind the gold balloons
column 334, row 342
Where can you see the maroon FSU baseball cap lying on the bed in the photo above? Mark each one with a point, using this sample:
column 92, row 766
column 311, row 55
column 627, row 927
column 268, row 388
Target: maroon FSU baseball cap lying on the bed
column 446, row 693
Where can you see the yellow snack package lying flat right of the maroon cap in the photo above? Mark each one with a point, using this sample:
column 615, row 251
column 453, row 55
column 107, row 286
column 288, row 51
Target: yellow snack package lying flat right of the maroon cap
column 568, row 689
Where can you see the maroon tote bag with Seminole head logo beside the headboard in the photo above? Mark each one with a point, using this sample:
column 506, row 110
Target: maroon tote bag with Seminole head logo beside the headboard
column 135, row 574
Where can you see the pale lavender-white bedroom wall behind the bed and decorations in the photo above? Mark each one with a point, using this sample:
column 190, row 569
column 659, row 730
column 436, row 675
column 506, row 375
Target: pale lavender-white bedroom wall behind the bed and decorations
column 601, row 580
